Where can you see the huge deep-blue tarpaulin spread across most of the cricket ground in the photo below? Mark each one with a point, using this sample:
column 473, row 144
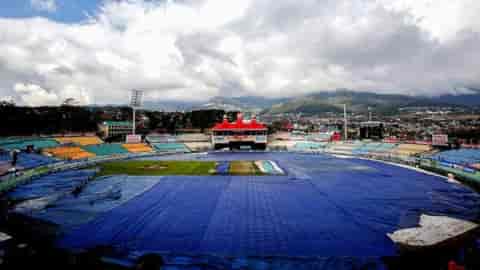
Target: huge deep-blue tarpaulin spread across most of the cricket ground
column 335, row 210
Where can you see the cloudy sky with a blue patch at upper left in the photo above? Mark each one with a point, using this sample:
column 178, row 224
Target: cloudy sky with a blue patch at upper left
column 96, row 51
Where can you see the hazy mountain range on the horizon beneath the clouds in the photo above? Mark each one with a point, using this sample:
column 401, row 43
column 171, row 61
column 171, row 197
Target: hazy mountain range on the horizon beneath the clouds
column 322, row 102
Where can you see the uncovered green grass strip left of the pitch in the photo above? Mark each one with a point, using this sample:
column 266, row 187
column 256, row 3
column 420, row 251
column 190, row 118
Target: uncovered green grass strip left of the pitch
column 151, row 167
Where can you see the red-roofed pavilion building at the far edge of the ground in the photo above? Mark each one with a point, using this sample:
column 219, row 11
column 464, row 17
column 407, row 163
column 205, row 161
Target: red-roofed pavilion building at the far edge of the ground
column 239, row 134
